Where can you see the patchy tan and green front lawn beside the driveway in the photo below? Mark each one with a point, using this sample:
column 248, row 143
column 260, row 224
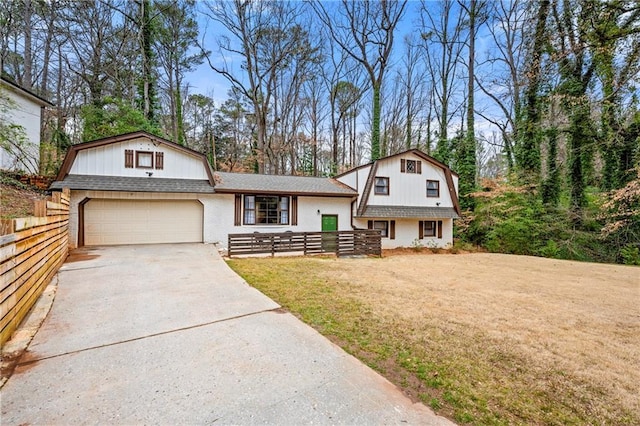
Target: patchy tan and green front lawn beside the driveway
column 481, row 338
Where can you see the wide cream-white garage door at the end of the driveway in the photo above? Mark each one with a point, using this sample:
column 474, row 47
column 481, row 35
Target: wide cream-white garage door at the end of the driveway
column 109, row 222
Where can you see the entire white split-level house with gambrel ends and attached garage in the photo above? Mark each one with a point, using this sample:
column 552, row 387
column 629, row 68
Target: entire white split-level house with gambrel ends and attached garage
column 138, row 188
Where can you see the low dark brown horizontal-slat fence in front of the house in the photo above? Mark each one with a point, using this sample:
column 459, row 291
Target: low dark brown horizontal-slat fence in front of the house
column 342, row 243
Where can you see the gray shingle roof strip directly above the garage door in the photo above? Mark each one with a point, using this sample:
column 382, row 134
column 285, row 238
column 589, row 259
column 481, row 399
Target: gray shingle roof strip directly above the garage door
column 132, row 184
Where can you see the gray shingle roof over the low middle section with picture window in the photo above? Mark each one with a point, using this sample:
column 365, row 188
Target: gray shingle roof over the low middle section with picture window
column 241, row 182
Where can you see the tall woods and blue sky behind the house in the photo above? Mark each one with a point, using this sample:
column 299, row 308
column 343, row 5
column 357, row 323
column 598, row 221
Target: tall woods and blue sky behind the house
column 540, row 96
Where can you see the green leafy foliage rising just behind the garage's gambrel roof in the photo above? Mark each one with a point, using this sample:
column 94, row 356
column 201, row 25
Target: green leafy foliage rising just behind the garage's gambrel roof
column 113, row 117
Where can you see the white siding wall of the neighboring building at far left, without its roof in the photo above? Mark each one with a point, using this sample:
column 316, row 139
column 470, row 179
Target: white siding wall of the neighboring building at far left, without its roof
column 26, row 113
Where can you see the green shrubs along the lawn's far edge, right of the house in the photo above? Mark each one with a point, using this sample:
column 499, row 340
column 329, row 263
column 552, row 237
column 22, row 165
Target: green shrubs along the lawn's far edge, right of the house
column 510, row 219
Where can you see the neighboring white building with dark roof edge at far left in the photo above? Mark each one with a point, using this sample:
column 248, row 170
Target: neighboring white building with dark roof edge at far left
column 24, row 109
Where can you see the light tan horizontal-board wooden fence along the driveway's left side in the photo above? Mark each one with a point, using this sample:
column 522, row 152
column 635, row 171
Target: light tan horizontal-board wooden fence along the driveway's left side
column 32, row 249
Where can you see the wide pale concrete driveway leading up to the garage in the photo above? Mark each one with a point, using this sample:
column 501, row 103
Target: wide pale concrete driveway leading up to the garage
column 168, row 334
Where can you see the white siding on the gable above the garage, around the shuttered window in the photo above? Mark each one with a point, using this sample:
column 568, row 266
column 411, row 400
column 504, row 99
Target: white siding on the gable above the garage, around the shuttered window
column 108, row 160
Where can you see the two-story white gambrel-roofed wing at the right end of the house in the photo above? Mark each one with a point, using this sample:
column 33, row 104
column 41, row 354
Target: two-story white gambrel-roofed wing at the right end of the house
column 410, row 197
